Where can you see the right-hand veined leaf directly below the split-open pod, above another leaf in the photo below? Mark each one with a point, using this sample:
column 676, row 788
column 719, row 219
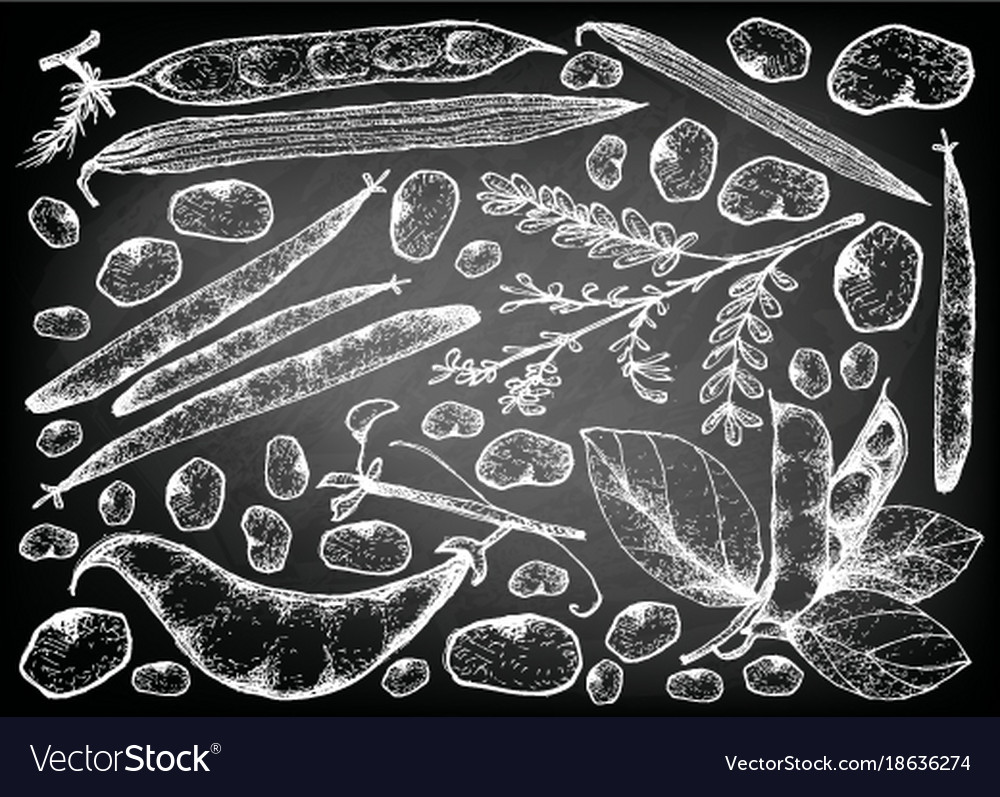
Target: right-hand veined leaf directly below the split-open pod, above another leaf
column 908, row 553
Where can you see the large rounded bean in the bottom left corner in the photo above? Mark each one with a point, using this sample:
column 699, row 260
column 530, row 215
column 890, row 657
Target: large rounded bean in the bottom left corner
column 76, row 650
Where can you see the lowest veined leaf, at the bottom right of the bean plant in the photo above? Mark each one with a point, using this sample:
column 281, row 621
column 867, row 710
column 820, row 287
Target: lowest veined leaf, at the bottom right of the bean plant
column 876, row 646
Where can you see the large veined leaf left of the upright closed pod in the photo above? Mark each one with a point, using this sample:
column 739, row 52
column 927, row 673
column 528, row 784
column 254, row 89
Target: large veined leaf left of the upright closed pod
column 678, row 513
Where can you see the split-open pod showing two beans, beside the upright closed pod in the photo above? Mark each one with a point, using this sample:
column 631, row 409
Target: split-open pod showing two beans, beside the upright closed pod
column 862, row 482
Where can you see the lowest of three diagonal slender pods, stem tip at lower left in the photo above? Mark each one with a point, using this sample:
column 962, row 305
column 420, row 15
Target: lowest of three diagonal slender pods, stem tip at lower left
column 275, row 385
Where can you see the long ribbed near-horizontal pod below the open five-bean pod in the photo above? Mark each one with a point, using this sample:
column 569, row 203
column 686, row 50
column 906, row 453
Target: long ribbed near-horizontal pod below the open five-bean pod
column 202, row 142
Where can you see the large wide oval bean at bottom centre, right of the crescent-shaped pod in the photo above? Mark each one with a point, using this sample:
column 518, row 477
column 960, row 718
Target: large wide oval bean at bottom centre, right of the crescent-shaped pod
column 518, row 654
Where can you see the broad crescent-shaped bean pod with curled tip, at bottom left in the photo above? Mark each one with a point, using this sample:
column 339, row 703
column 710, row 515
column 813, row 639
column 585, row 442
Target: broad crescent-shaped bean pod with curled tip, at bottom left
column 275, row 643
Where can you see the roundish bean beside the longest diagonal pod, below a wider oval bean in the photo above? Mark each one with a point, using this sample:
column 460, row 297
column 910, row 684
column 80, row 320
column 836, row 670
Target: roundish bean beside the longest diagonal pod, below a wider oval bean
column 138, row 270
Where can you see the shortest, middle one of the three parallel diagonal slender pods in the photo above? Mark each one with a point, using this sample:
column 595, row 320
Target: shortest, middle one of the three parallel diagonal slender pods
column 241, row 344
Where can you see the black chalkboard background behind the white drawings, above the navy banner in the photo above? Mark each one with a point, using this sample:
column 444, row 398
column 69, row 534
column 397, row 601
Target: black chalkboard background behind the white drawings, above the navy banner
column 593, row 392
